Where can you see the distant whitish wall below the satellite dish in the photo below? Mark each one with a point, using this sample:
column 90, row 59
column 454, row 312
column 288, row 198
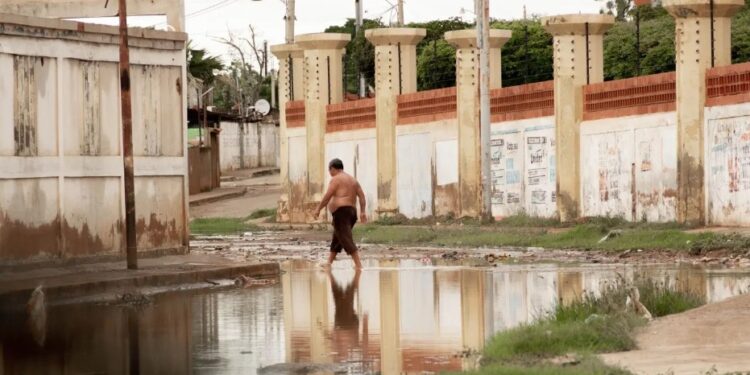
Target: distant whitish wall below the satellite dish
column 260, row 145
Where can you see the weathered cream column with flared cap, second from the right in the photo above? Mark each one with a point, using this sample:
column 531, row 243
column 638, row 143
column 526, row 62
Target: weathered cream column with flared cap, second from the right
column 579, row 60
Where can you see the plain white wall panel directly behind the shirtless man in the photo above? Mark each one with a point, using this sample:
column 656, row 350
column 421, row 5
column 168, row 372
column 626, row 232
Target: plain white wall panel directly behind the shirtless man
column 357, row 149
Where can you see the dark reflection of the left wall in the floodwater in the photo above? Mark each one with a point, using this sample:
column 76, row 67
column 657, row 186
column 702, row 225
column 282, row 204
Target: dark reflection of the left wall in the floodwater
column 98, row 339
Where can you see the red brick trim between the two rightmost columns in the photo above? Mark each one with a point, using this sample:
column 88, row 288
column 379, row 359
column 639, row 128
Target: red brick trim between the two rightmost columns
column 633, row 96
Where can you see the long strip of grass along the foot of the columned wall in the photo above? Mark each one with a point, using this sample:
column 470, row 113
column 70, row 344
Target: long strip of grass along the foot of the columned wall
column 582, row 236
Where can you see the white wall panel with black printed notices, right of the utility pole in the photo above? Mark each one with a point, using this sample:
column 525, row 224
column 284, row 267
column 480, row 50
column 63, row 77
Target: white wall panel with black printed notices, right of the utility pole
column 523, row 168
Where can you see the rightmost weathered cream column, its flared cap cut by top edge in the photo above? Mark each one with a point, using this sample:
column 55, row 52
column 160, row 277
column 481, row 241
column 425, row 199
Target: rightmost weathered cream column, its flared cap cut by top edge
column 694, row 55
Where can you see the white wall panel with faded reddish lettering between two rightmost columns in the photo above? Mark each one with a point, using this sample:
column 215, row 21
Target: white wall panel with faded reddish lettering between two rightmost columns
column 629, row 167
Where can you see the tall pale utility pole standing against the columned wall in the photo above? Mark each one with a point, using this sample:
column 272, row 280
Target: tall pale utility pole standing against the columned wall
column 483, row 43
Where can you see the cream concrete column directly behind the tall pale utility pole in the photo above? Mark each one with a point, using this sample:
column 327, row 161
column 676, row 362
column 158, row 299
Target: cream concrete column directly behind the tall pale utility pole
column 467, row 97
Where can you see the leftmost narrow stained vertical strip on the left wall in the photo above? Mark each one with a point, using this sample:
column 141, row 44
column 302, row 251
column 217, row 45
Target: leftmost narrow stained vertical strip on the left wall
column 25, row 105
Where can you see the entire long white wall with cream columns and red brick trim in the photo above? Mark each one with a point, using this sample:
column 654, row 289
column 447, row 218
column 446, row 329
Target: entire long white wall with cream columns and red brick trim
column 658, row 148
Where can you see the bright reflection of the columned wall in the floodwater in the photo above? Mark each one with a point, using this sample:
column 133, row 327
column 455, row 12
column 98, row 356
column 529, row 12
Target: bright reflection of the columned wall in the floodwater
column 413, row 318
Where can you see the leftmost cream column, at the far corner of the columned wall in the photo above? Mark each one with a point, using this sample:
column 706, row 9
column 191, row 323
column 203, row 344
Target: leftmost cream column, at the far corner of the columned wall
column 287, row 54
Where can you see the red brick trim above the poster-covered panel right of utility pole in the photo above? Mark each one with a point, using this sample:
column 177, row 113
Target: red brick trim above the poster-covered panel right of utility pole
column 523, row 102
